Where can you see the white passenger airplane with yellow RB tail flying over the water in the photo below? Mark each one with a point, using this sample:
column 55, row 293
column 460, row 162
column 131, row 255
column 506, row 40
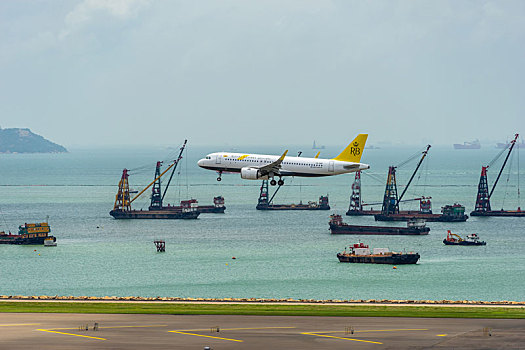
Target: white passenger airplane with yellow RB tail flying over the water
column 265, row 167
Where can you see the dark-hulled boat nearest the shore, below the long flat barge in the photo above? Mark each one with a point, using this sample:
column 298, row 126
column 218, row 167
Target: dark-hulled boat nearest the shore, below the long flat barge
column 360, row 253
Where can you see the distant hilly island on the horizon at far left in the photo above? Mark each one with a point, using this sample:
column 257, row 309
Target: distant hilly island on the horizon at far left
column 18, row 140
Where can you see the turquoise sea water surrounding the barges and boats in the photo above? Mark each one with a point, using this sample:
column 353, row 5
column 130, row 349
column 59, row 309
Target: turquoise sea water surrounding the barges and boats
column 279, row 254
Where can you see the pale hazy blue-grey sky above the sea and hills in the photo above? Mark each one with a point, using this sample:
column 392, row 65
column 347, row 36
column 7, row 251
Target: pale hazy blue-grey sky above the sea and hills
column 233, row 72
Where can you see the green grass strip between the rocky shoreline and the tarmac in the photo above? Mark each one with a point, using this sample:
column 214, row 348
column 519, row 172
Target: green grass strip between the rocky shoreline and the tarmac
column 264, row 309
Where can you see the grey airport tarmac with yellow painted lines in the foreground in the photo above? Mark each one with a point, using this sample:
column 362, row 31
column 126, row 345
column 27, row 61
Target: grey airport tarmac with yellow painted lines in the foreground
column 129, row 331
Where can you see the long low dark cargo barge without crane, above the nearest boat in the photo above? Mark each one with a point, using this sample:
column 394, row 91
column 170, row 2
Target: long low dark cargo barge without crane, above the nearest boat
column 415, row 227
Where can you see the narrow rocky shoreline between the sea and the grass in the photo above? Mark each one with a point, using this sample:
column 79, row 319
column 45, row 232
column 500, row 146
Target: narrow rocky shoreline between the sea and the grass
column 288, row 301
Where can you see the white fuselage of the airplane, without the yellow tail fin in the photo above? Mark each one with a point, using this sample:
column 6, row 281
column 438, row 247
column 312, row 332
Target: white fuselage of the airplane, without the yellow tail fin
column 290, row 166
